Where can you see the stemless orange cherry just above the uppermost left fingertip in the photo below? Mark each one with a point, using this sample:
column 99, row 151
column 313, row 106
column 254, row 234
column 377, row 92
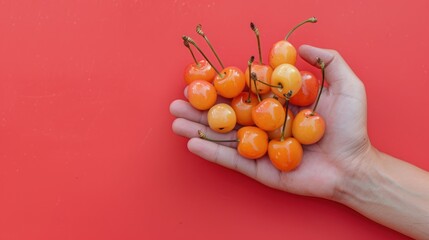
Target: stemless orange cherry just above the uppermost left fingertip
column 201, row 94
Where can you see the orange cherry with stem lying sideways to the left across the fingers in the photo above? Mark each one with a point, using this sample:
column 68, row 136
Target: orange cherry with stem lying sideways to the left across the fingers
column 252, row 142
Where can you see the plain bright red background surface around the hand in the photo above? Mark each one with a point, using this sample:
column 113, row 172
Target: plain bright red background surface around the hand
column 86, row 147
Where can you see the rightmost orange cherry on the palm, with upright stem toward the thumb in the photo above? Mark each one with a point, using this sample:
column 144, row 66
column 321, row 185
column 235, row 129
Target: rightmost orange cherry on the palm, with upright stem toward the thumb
column 308, row 126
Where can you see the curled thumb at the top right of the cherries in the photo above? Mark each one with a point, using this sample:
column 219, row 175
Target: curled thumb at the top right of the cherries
column 337, row 72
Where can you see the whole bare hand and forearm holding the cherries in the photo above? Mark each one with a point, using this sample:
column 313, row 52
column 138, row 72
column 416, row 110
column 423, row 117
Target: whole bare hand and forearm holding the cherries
column 343, row 166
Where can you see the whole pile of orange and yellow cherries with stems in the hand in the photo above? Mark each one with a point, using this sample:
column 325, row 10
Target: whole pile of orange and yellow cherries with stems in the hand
column 260, row 111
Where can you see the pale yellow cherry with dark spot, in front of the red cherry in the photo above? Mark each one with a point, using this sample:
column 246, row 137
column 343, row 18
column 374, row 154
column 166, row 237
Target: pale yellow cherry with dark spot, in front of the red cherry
column 285, row 78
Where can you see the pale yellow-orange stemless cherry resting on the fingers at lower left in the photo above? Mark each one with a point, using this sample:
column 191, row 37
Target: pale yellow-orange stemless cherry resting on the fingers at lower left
column 221, row 118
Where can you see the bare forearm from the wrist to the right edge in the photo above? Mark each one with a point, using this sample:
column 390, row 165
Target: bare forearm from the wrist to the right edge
column 392, row 193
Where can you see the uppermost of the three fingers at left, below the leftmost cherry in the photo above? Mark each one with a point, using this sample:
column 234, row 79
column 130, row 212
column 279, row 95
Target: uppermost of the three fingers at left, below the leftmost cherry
column 183, row 109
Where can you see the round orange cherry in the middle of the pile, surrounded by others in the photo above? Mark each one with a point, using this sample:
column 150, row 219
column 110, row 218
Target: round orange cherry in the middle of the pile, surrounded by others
column 269, row 114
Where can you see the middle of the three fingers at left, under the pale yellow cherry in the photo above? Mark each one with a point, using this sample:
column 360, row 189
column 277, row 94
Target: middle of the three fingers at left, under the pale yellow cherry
column 190, row 129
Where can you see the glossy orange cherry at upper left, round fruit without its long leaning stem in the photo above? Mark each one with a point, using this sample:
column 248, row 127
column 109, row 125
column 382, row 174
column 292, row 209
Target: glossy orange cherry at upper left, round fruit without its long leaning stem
column 230, row 83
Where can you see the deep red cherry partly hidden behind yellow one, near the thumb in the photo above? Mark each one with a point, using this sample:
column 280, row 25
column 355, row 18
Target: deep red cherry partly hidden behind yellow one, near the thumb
column 308, row 92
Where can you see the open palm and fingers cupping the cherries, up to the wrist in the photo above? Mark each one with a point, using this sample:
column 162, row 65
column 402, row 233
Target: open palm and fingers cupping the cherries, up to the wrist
column 325, row 165
